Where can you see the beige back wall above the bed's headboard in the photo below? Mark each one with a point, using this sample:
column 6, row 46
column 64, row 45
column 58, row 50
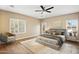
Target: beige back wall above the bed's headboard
column 60, row 21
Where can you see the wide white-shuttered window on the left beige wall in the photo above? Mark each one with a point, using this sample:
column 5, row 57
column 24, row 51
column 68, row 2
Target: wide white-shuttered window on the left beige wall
column 17, row 26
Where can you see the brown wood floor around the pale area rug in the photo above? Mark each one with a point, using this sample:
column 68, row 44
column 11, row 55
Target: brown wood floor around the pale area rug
column 18, row 48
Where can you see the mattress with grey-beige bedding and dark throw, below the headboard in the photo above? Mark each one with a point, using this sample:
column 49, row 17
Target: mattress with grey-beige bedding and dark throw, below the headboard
column 53, row 41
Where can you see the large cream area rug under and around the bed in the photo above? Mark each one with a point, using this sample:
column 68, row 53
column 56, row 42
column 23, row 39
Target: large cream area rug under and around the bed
column 38, row 48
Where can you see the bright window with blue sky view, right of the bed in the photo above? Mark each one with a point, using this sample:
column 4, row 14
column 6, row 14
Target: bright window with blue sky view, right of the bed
column 72, row 27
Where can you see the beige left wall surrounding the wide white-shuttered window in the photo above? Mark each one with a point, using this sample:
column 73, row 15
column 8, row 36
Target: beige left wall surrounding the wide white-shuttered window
column 31, row 28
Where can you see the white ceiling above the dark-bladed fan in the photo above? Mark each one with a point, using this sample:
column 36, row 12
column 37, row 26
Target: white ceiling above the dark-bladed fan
column 30, row 10
